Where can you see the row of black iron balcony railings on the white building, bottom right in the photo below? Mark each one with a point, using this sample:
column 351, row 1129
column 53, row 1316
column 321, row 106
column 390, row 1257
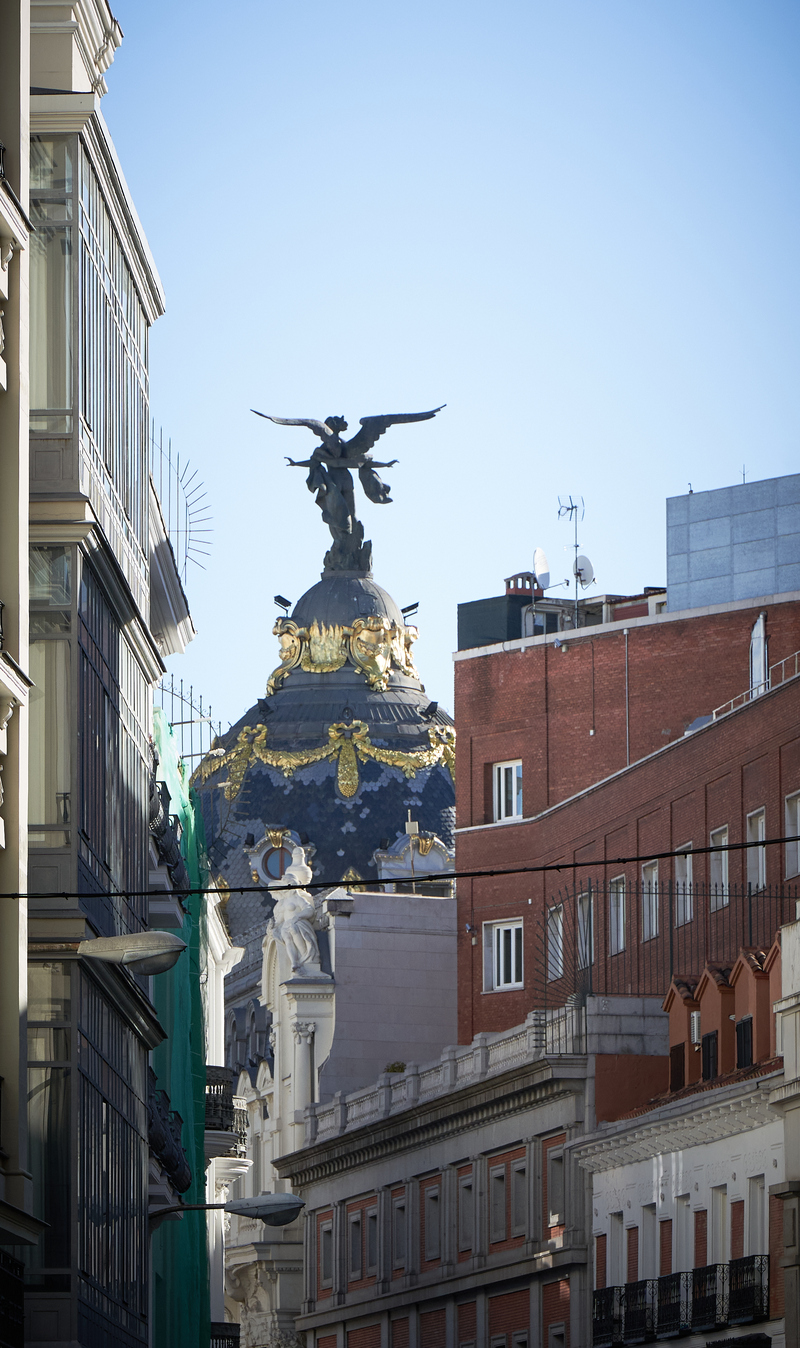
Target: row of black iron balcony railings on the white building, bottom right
column 682, row 1303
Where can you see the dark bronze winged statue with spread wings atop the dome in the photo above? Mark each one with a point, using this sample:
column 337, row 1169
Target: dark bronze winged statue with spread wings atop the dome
column 331, row 478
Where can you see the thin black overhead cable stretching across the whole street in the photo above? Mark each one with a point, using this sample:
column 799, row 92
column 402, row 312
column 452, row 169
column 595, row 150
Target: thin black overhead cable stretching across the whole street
column 436, row 878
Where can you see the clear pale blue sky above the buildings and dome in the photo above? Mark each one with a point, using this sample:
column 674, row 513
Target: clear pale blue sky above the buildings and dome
column 573, row 222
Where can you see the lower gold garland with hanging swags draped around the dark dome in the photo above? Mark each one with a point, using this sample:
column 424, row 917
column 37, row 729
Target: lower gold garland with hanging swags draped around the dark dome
column 349, row 745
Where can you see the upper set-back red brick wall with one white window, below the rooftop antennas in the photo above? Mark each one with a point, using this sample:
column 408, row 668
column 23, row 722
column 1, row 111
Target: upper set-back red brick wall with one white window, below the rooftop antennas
column 540, row 706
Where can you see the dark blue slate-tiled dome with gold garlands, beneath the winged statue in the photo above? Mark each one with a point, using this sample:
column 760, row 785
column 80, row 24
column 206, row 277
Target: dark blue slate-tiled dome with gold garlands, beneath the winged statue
column 328, row 757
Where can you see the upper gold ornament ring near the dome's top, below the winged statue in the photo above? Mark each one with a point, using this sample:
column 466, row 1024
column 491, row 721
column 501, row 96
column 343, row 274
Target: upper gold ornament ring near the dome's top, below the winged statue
column 373, row 645
